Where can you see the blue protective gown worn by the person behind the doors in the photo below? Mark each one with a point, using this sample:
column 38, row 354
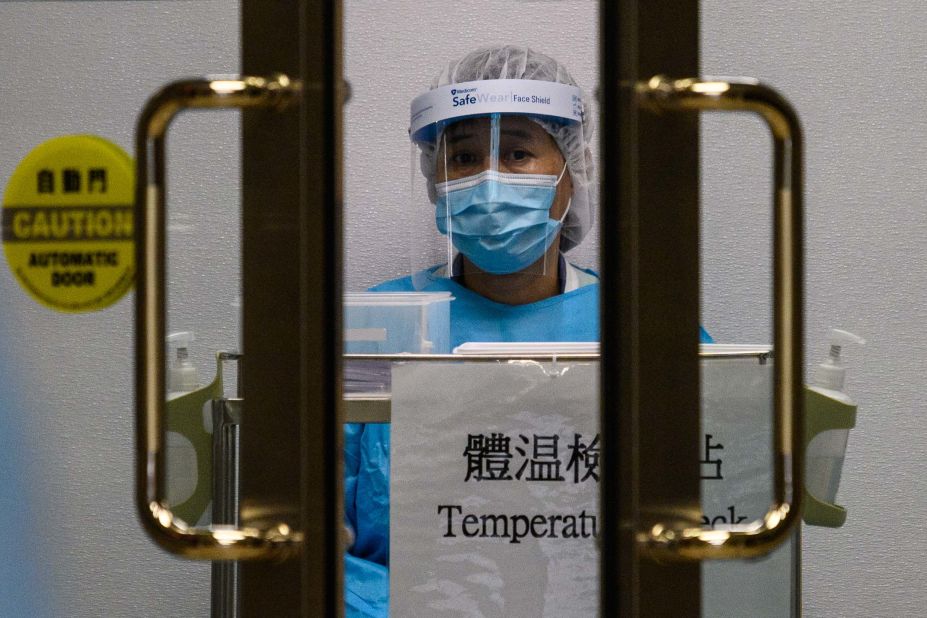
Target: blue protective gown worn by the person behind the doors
column 570, row 316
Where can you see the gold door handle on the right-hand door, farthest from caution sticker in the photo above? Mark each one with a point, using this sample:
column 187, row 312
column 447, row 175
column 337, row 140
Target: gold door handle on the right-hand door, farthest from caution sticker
column 665, row 94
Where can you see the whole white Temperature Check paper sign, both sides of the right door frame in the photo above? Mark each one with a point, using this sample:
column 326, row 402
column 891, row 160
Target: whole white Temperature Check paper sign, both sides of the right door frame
column 479, row 526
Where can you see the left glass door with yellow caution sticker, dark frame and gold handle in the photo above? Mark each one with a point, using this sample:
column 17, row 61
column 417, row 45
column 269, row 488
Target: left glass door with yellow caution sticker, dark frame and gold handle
column 237, row 248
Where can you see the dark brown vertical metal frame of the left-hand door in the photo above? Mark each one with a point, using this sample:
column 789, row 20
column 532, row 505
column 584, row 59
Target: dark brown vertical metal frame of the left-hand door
column 291, row 246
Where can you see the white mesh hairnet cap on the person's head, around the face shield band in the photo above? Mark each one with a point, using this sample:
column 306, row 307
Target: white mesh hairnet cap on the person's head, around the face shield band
column 517, row 62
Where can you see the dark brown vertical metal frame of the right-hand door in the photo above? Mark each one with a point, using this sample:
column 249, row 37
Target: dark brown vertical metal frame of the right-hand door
column 650, row 302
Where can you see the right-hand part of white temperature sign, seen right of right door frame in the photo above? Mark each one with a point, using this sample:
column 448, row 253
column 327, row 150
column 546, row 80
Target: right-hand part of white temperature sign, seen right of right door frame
column 736, row 466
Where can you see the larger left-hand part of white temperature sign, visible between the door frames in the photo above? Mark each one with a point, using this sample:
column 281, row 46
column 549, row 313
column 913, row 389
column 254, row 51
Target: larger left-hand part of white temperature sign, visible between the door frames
column 494, row 489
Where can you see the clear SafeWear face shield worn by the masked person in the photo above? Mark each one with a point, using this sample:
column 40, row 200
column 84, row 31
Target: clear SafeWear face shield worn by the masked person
column 491, row 186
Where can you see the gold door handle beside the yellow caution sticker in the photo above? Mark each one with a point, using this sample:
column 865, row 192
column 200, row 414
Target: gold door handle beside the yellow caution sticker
column 171, row 533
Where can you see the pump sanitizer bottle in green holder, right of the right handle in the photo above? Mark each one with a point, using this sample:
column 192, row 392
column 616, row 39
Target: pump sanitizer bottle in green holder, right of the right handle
column 825, row 454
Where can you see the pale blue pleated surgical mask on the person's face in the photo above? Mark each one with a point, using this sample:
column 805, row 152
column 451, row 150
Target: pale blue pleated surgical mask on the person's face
column 501, row 222
